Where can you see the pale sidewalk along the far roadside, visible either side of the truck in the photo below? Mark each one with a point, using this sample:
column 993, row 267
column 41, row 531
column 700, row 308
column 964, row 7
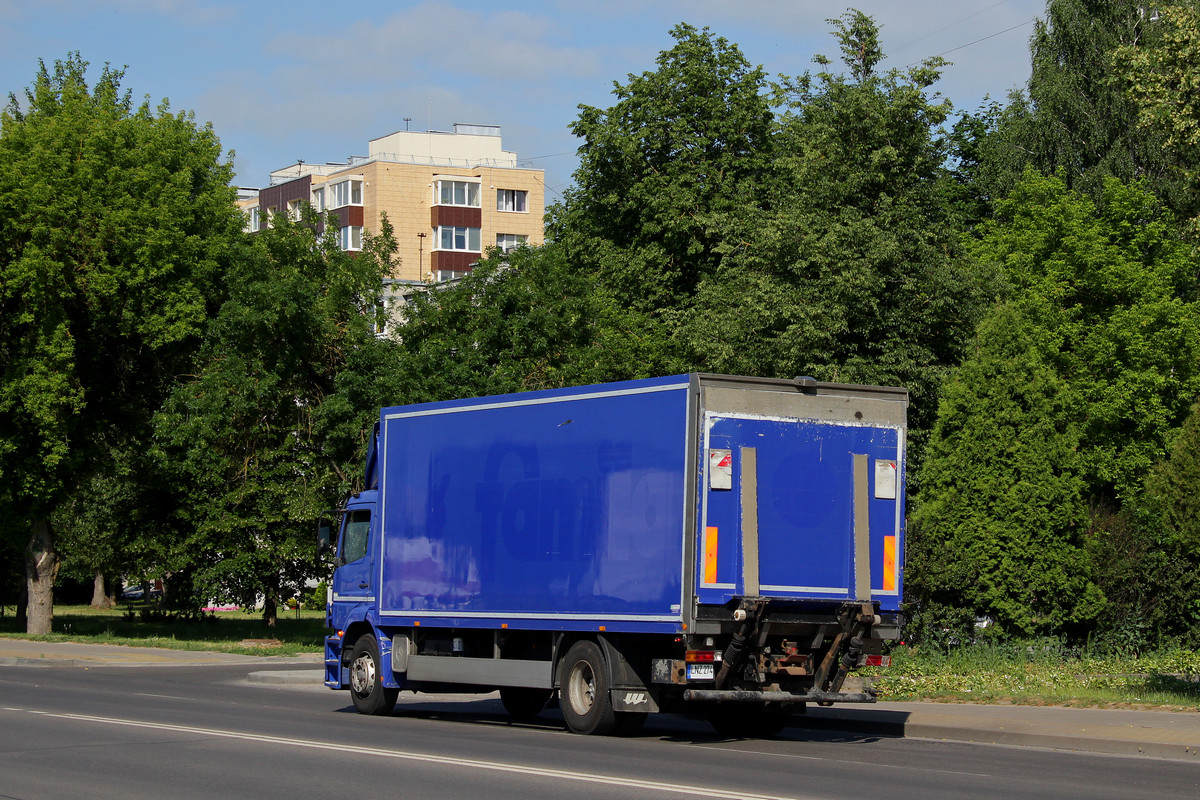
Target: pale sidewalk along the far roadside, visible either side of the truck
column 1162, row 735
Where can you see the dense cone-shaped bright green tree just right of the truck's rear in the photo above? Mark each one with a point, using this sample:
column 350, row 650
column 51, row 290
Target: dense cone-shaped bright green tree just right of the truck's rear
column 1000, row 526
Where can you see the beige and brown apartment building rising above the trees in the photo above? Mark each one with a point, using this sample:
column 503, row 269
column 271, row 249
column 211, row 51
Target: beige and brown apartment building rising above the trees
column 449, row 197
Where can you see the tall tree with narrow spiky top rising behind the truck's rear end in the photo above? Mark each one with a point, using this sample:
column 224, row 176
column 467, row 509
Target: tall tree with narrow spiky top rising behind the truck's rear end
column 856, row 273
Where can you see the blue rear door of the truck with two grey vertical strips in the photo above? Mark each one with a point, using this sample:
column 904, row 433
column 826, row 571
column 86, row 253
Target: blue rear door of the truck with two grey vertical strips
column 802, row 492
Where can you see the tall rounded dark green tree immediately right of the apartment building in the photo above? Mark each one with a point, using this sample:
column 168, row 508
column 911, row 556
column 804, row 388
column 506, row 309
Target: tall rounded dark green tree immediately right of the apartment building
column 682, row 151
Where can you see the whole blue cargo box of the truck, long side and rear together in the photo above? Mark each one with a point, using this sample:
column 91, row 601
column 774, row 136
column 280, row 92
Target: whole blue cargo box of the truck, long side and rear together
column 595, row 508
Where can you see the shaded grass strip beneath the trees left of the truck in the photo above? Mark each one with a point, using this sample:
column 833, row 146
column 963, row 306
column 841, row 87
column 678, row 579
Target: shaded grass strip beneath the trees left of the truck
column 225, row 633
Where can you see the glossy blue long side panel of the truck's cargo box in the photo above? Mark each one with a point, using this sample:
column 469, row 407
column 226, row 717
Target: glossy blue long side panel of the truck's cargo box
column 565, row 506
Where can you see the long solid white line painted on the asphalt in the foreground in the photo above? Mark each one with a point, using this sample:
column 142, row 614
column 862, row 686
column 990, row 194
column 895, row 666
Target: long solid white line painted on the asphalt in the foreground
column 449, row 761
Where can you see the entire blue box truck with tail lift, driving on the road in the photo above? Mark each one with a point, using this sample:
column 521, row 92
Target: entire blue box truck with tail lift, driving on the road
column 707, row 544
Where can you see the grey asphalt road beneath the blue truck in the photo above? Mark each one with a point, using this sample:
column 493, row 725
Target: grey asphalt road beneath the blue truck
column 202, row 732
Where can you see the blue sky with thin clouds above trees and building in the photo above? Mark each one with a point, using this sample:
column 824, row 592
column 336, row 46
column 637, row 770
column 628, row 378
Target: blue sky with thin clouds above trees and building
column 316, row 81
